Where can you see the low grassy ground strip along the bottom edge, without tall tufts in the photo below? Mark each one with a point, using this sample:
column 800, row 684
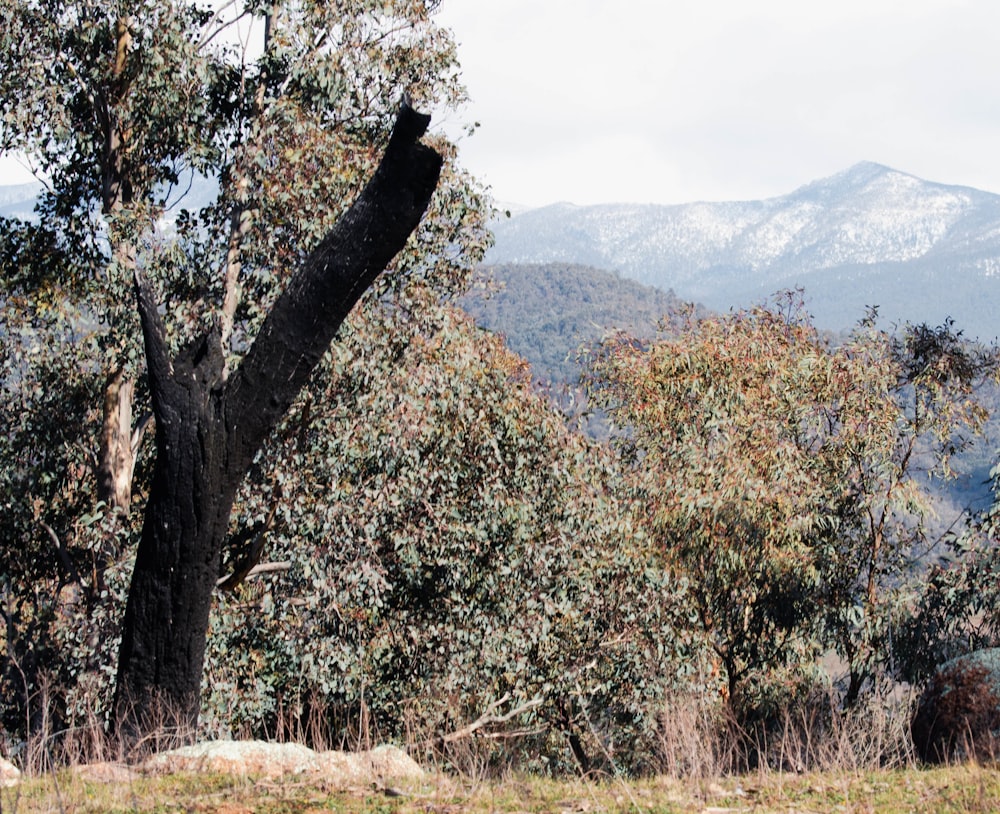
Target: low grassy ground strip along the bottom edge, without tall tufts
column 966, row 788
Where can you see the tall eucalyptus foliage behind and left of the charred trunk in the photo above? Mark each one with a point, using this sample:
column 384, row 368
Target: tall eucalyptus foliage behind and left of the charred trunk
column 123, row 108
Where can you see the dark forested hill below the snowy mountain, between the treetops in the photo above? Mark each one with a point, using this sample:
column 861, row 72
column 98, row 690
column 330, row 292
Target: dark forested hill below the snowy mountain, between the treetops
column 548, row 311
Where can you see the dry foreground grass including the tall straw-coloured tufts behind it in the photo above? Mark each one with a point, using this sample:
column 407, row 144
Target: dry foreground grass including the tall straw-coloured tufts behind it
column 819, row 759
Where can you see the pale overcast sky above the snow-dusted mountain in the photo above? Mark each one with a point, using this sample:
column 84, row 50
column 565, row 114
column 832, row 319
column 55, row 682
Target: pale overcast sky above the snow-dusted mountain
column 671, row 101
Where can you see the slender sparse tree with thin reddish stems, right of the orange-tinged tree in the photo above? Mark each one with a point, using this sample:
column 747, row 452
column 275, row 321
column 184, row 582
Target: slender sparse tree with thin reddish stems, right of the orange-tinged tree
column 911, row 402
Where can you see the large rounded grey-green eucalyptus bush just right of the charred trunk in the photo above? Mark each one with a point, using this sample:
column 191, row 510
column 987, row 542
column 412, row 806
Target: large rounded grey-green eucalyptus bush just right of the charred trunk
column 463, row 547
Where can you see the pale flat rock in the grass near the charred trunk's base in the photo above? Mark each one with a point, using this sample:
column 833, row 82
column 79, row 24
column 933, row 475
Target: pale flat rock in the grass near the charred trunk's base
column 276, row 759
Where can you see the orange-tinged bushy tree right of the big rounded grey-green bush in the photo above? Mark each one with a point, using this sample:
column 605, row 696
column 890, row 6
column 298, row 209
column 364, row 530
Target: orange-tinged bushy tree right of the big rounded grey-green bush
column 719, row 425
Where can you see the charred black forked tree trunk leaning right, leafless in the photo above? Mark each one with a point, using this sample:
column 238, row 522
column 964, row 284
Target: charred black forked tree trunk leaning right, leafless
column 210, row 427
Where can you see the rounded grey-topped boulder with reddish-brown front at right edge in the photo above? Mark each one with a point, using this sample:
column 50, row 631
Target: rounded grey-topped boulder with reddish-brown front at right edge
column 958, row 714
